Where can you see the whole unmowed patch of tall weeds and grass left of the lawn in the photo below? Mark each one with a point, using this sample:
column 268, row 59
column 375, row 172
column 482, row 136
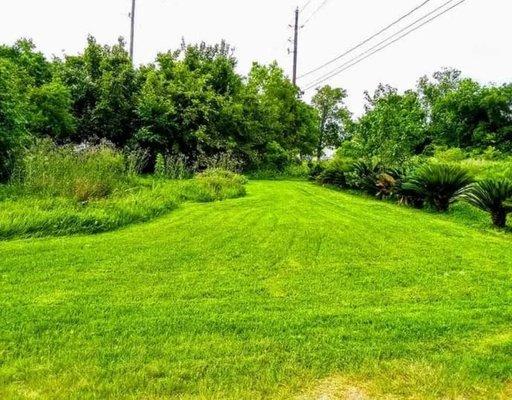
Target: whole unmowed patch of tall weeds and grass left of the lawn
column 90, row 189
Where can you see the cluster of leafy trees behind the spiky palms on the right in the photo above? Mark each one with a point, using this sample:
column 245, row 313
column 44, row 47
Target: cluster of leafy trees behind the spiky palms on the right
column 445, row 111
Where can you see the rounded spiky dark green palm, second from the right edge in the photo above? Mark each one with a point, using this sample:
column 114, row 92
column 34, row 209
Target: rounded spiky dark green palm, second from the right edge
column 438, row 184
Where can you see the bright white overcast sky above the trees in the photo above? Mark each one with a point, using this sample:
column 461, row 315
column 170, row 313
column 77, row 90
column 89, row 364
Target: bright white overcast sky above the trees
column 475, row 37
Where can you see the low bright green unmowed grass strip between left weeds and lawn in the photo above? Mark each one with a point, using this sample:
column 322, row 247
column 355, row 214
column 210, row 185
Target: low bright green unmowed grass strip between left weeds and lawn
column 35, row 216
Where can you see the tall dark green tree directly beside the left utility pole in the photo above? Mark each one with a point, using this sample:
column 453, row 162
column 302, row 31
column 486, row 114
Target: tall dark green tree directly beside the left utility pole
column 104, row 87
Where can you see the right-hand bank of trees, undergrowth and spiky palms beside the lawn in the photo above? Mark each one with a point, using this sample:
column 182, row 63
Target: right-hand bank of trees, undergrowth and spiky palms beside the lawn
column 447, row 141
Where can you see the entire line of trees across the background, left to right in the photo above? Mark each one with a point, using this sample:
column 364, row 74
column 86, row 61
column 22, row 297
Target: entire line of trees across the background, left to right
column 191, row 102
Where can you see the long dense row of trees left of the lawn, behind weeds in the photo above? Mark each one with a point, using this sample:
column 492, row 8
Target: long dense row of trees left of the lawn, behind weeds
column 189, row 102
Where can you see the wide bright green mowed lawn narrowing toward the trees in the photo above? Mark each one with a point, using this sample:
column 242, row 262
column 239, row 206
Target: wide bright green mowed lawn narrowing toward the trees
column 295, row 291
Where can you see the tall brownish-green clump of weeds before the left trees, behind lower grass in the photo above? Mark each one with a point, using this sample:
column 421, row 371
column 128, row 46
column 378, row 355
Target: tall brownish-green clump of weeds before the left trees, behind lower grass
column 81, row 172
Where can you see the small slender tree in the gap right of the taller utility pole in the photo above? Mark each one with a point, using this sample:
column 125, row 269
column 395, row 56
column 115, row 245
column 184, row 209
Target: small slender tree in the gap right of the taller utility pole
column 332, row 114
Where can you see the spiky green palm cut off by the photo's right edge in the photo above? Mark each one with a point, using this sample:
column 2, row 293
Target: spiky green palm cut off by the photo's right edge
column 491, row 195
